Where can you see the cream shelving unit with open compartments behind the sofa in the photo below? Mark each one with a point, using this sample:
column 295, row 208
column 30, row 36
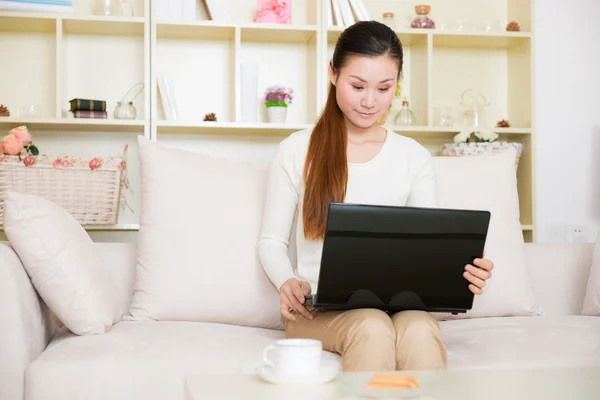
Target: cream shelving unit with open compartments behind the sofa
column 52, row 58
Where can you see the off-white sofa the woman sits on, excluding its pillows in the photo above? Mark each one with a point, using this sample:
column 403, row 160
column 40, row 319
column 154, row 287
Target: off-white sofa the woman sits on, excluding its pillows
column 148, row 360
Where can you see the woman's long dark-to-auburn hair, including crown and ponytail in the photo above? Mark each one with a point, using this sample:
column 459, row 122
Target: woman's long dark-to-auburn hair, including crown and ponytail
column 326, row 169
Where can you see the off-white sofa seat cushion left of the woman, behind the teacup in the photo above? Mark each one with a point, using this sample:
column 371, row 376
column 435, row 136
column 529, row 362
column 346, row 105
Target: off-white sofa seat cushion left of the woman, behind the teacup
column 143, row 359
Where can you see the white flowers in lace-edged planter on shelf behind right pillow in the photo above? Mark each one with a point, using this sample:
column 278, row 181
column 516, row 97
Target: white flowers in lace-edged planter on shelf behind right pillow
column 476, row 142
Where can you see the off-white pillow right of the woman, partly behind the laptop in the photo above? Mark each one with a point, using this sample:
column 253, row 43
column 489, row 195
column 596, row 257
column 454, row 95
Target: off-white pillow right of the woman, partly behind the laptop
column 489, row 182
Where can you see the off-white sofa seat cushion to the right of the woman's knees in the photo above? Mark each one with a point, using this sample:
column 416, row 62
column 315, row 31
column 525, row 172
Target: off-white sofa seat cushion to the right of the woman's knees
column 542, row 341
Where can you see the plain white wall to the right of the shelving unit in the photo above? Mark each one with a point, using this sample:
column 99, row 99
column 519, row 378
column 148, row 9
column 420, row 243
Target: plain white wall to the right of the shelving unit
column 567, row 90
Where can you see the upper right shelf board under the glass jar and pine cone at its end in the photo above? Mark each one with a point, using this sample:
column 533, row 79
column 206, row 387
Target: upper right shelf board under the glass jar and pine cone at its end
column 479, row 40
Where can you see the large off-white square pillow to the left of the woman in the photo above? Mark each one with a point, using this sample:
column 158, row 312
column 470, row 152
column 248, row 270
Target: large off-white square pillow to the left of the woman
column 197, row 257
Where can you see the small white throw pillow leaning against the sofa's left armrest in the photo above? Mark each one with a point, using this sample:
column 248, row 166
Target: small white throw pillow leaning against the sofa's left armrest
column 60, row 259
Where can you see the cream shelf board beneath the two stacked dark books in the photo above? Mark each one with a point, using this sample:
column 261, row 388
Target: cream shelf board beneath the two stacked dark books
column 73, row 124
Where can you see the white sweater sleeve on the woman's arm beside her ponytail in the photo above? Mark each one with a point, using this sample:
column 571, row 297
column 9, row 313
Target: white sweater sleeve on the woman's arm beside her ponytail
column 281, row 202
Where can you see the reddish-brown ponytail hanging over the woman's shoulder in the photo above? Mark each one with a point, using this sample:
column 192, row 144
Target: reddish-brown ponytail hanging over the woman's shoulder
column 326, row 168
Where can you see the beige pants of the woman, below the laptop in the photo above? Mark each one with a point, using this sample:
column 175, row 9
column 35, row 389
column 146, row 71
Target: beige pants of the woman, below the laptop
column 371, row 340
